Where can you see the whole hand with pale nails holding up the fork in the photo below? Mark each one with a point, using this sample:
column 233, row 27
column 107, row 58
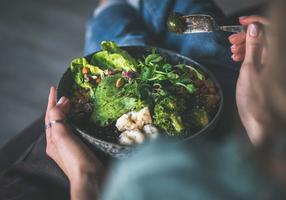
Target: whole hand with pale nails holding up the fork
column 251, row 97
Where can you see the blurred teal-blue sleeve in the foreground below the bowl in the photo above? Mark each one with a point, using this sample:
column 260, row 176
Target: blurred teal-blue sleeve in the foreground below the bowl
column 167, row 171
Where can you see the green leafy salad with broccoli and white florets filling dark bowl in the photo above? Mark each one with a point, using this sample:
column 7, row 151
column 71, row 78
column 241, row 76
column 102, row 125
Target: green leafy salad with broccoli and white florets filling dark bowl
column 127, row 95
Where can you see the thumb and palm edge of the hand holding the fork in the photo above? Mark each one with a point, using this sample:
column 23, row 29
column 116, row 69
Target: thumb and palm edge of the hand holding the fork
column 250, row 98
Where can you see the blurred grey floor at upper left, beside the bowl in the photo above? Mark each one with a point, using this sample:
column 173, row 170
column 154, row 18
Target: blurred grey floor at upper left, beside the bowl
column 38, row 38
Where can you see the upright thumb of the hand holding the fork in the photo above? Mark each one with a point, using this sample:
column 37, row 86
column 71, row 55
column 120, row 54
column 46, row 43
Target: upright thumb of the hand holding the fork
column 254, row 44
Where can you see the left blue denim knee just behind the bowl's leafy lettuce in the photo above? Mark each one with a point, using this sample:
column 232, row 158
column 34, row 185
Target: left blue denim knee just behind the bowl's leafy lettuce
column 119, row 23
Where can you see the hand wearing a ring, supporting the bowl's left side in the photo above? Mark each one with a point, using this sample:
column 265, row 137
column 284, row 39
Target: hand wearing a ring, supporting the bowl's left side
column 79, row 164
